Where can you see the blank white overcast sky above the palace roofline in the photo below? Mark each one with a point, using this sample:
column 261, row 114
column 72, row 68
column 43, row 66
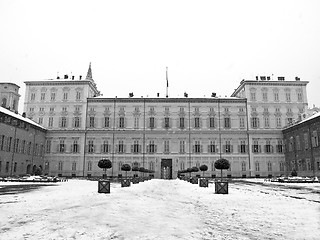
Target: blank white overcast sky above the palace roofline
column 208, row 46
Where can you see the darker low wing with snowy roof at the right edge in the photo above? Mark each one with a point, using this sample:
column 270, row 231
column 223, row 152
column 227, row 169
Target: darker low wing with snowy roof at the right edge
column 302, row 144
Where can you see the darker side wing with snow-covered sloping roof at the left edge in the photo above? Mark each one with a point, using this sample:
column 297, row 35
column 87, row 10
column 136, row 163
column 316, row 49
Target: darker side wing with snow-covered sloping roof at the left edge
column 21, row 145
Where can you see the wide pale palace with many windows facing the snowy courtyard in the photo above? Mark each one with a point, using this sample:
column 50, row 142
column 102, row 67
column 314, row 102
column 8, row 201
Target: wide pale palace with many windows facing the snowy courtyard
column 165, row 134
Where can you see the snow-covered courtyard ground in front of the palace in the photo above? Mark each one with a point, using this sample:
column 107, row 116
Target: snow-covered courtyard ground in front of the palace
column 162, row 209
